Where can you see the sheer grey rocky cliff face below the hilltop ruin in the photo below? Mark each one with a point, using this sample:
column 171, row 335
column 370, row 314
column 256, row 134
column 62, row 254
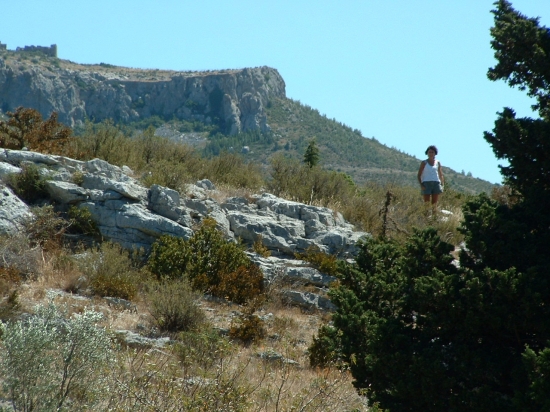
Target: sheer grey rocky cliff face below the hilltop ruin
column 233, row 99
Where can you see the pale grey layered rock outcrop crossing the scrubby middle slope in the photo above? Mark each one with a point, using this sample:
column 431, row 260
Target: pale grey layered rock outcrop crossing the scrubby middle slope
column 134, row 216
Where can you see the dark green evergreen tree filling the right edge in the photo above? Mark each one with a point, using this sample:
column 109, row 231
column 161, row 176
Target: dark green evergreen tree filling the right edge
column 420, row 334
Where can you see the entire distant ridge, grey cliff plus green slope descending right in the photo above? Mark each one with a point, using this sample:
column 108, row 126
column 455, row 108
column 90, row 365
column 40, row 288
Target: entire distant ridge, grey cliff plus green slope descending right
column 235, row 101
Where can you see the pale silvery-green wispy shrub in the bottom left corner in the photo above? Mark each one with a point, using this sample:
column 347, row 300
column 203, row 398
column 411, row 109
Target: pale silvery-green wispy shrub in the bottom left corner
column 51, row 361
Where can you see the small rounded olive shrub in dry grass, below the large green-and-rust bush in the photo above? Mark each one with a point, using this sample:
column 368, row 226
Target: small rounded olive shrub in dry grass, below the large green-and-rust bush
column 173, row 306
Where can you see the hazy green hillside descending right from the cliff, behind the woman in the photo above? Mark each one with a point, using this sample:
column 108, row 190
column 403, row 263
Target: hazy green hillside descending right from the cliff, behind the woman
column 345, row 150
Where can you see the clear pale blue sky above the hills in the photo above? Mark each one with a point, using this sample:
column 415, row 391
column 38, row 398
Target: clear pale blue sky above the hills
column 409, row 73
